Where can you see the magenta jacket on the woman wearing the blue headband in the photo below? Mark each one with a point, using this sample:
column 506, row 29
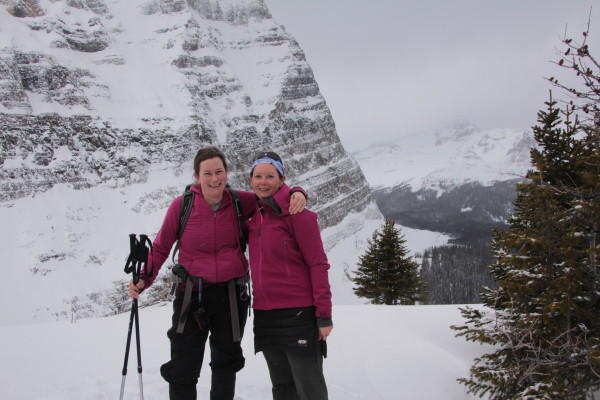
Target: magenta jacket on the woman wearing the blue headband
column 289, row 267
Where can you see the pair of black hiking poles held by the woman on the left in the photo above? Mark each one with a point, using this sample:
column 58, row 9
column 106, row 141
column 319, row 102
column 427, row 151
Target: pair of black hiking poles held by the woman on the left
column 138, row 256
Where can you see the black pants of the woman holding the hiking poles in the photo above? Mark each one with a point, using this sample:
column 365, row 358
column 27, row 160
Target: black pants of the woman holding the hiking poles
column 187, row 348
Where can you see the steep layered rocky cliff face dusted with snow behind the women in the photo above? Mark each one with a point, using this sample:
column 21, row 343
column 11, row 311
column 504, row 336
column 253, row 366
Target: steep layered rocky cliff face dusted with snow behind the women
column 106, row 93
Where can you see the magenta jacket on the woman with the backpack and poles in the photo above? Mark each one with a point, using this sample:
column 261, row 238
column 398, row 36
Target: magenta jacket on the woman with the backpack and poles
column 209, row 246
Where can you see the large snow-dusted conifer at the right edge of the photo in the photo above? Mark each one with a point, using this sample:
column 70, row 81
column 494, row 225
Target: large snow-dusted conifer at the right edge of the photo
column 544, row 317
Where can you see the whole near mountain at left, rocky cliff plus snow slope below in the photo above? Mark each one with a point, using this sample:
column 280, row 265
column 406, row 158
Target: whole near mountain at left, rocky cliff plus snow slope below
column 103, row 105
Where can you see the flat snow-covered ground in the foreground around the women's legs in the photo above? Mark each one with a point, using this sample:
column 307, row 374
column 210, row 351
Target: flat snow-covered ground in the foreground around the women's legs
column 375, row 353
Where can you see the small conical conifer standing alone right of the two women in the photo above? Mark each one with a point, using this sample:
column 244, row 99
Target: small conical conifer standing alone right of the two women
column 386, row 274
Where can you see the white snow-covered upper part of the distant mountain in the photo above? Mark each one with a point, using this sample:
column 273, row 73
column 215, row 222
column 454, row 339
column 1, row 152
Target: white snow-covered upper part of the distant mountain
column 447, row 157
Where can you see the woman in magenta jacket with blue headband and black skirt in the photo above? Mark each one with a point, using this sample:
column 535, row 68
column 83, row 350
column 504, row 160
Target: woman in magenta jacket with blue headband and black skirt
column 292, row 297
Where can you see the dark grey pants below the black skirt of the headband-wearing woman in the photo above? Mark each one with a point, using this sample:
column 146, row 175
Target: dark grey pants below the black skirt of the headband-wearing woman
column 296, row 375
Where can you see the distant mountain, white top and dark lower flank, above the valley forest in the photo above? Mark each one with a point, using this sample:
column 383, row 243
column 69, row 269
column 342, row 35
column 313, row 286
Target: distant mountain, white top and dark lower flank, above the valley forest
column 459, row 180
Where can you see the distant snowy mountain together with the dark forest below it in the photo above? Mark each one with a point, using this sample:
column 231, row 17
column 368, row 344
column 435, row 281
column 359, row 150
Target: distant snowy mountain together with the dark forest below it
column 459, row 181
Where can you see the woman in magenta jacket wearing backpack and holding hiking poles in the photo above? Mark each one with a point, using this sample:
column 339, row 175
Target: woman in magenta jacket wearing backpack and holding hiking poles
column 209, row 249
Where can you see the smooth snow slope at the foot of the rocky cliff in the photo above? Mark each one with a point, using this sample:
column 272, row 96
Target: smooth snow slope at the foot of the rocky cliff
column 79, row 241
